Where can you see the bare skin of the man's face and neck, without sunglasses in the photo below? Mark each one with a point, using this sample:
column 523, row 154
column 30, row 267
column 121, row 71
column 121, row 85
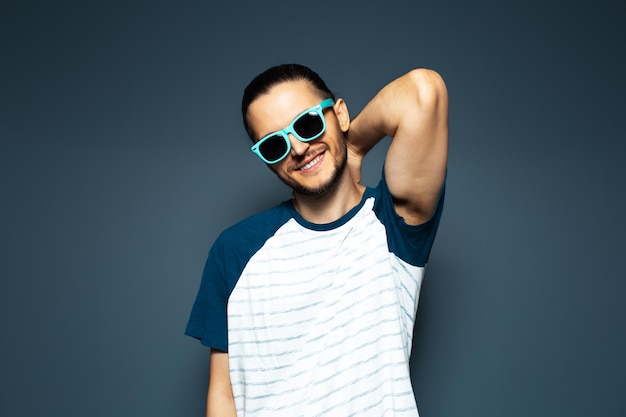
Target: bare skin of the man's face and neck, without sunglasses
column 325, row 191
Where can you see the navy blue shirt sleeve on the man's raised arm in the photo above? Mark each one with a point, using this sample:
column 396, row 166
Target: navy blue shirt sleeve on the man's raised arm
column 410, row 243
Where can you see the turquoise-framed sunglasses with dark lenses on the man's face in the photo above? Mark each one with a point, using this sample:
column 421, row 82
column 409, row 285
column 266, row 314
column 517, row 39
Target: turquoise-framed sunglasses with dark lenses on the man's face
column 309, row 125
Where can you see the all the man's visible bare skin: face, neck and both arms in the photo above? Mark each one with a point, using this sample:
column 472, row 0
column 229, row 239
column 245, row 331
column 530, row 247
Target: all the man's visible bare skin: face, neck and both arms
column 413, row 110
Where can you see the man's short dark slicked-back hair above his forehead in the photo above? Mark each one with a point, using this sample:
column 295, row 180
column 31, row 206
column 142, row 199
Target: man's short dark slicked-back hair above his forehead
column 263, row 82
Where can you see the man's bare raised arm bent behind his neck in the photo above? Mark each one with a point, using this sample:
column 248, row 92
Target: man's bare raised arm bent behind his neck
column 413, row 110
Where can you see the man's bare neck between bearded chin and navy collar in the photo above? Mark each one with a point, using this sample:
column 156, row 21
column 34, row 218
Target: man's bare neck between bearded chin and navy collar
column 331, row 206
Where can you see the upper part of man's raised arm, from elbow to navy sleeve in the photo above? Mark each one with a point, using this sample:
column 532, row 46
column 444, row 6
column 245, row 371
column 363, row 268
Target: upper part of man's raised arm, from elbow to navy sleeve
column 415, row 165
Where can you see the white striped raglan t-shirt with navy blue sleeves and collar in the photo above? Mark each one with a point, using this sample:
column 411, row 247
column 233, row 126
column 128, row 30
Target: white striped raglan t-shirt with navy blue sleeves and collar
column 317, row 319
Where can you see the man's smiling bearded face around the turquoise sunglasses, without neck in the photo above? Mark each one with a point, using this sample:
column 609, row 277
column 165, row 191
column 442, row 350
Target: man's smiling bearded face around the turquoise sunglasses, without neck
column 311, row 168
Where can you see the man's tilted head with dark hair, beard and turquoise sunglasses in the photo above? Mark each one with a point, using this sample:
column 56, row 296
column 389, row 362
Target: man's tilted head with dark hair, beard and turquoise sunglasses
column 274, row 102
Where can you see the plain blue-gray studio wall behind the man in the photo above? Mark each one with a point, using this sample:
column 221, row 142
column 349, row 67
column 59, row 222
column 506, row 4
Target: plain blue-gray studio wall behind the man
column 122, row 157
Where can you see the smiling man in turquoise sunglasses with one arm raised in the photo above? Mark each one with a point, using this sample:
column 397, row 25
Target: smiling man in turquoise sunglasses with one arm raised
column 308, row 308
